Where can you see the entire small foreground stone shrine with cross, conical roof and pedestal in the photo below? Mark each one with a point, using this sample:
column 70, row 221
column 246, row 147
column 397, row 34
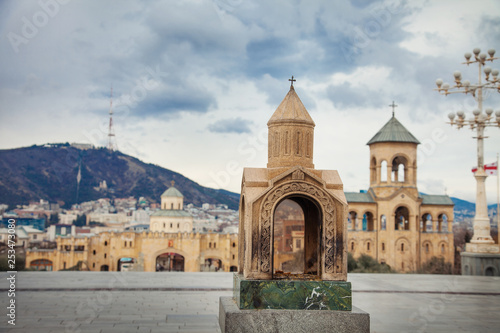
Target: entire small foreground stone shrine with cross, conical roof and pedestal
column 305, row 289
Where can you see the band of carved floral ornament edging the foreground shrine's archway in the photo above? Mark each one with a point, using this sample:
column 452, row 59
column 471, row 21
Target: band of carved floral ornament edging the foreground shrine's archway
column 315, row 193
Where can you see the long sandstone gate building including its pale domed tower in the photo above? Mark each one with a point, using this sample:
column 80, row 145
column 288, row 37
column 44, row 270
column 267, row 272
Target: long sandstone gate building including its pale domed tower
column 169, row 245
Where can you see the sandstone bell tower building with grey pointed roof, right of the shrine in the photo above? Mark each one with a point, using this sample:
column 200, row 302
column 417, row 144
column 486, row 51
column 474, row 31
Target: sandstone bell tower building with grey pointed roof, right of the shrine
column 392, row 222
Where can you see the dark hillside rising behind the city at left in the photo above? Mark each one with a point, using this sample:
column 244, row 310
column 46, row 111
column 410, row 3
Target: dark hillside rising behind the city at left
column 69, row 174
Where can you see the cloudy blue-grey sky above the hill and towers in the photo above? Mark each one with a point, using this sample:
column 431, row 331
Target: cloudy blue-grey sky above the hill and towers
column 195, row 81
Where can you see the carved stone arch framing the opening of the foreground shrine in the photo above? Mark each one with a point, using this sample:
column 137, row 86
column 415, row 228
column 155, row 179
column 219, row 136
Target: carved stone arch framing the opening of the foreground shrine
column 327, row 207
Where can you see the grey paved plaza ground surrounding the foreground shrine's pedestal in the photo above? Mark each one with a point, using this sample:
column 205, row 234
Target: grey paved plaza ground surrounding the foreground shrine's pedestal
column 188, row 302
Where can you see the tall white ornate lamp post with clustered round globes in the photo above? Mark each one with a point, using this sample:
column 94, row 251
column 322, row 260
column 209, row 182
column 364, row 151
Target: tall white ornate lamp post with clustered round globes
column 478, row 122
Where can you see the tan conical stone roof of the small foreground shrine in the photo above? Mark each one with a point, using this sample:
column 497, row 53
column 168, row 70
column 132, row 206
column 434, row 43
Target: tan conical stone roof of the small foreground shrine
column 291, row 109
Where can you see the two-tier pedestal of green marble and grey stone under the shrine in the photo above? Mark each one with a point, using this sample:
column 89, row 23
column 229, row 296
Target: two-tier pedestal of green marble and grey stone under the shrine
column 283, row 306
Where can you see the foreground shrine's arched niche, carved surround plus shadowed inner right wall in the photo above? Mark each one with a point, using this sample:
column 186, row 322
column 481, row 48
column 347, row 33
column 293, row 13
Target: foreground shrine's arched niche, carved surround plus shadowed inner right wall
column 323, row 232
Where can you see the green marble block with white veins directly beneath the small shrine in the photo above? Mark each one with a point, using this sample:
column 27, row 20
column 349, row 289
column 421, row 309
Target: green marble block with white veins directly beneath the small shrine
column 292, row 294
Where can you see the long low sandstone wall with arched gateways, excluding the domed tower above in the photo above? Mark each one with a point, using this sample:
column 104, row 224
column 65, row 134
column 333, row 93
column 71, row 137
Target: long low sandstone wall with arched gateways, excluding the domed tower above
column 104, row 251
